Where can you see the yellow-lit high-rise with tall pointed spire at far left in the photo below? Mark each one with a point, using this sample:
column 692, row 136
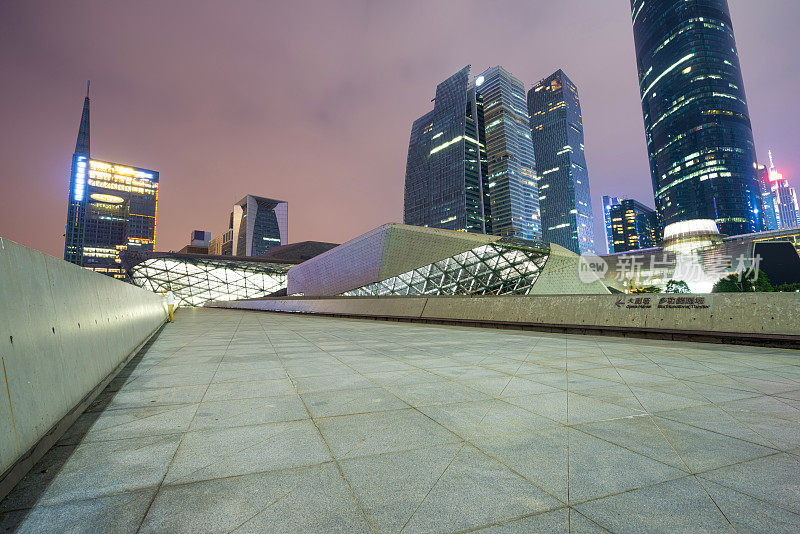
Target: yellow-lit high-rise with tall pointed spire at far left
column 111, row 207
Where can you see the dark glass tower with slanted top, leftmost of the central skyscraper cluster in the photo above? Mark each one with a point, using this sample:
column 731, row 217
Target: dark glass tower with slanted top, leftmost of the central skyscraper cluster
column 446, row 170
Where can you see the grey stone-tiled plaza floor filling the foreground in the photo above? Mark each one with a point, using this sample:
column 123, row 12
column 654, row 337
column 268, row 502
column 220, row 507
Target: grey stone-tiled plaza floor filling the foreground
column 235, row 421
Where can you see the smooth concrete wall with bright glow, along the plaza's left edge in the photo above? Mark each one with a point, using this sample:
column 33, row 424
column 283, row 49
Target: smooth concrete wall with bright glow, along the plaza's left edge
column 63, row 330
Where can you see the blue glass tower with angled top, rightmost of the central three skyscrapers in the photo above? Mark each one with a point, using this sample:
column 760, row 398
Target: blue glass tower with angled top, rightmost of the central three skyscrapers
column 557, row 131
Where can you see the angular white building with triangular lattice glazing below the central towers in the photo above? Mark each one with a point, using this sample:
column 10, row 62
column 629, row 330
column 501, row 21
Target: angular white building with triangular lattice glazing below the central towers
column 396, row 259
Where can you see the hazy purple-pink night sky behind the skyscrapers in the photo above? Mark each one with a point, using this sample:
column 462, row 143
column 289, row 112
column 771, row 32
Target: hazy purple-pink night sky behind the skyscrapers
column 311, row 101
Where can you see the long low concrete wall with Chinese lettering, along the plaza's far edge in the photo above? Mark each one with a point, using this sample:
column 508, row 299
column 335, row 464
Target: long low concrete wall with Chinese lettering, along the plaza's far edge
column 755, row 314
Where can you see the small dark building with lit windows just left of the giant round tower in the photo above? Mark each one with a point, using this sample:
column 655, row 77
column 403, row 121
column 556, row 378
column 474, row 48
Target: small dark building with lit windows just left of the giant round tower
column 634, row 226
